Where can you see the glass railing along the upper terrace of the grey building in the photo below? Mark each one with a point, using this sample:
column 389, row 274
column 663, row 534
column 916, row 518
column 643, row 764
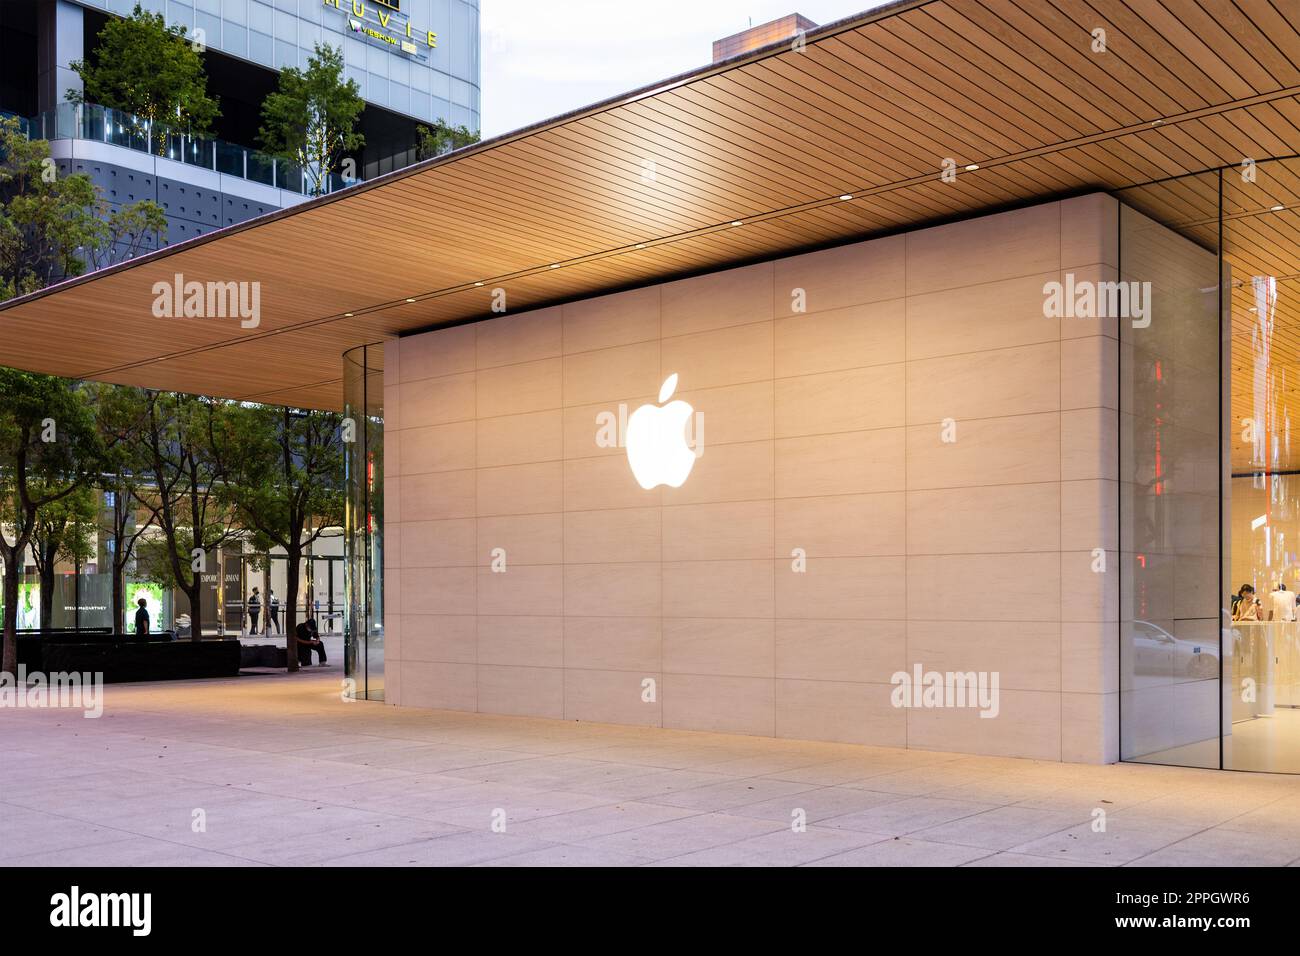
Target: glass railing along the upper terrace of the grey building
column 114, row 127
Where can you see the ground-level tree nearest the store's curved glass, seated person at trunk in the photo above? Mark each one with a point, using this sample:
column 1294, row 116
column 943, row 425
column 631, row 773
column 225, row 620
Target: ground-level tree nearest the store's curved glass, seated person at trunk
column 289, row 490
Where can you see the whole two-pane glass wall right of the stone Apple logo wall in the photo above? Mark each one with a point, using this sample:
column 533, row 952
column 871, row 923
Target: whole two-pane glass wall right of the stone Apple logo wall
column 1210, row 475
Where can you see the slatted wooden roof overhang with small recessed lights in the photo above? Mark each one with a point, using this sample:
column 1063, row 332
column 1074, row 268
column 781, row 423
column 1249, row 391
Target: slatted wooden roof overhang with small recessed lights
column 838, row 139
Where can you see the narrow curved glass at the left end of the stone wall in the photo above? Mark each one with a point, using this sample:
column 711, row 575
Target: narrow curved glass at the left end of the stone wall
column 363, row 527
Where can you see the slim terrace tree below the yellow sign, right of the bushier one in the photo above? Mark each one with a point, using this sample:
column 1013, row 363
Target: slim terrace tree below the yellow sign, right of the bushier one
column 311, row 120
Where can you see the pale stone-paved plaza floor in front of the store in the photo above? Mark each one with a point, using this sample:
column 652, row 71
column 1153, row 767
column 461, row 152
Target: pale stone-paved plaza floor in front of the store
column 278, row 769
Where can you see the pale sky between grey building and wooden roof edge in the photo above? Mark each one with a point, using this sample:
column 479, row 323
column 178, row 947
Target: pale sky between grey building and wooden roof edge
column 545, row 58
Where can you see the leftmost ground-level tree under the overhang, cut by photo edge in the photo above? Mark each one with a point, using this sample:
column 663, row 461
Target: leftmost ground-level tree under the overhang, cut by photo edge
column 49, row 449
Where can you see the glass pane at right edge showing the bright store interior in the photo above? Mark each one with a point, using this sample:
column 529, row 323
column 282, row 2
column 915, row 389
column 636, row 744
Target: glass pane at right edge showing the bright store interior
column 1262, row 723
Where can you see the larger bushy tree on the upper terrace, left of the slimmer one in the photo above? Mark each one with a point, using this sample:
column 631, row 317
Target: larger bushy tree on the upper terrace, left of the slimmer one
column 151, row 71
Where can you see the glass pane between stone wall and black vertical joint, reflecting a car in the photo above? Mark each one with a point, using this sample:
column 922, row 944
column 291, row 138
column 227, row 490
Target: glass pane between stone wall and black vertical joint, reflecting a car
column 1171, row 477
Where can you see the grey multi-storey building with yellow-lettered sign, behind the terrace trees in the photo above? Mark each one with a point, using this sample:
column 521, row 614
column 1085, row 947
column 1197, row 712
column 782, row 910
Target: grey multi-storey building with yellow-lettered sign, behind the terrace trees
column 415, row 62
